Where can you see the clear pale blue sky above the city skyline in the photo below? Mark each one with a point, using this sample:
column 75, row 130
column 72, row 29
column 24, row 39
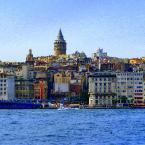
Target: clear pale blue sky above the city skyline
column 117, row 26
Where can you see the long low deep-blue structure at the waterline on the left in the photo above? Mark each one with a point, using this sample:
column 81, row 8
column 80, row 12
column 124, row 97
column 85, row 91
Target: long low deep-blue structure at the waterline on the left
column 19, row 105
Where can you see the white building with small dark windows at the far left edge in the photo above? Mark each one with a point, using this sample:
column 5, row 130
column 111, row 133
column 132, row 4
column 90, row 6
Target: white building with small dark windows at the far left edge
column 7, row 87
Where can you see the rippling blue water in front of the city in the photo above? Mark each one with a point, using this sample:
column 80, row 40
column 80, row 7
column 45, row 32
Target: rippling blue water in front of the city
column 72, row 127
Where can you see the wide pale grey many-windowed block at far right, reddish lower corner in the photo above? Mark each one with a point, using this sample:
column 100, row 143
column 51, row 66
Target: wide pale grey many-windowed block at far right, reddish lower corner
column 130, row 86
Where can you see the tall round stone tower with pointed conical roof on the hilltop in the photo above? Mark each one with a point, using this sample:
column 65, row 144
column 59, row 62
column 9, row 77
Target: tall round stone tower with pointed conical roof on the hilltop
column 60, row 45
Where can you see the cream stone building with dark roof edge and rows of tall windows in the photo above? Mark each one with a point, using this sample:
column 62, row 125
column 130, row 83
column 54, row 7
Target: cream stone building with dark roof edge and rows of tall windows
column 102, row 89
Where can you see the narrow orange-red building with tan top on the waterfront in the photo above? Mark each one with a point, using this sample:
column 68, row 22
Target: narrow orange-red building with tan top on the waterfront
column 41, row 86
